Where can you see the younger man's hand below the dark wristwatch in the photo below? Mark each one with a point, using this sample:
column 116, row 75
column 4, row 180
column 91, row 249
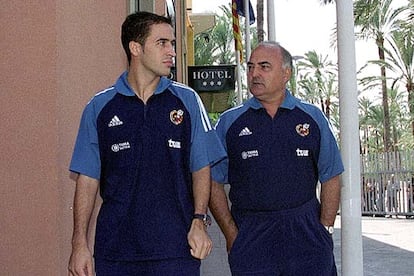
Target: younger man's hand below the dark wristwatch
column 199, row 240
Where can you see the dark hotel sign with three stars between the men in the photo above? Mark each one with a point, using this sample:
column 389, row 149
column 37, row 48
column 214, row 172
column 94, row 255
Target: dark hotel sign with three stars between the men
column 211, row 78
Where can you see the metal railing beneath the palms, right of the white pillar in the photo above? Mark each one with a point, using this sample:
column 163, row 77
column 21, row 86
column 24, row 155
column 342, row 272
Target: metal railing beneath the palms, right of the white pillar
column 387, row 184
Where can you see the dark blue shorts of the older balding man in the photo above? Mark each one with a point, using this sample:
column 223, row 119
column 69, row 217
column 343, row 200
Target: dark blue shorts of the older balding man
column 290, row 243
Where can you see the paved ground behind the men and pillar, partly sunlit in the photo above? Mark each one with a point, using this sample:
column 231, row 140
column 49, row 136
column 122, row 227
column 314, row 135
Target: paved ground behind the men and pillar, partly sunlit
column 388, row 248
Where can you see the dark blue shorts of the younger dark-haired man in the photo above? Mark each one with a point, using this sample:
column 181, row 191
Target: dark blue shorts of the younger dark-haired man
column 181, row 266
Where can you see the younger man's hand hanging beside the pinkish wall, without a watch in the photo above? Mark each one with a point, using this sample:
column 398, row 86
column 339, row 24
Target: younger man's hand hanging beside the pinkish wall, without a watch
column 80, row 262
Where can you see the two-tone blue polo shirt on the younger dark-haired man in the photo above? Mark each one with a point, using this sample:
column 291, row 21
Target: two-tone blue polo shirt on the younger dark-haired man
column 143, row 155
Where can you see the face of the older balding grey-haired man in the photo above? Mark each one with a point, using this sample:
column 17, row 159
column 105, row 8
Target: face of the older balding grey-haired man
column 266, row 77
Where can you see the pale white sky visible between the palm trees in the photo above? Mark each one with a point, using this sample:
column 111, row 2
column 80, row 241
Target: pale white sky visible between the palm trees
column 302, row 26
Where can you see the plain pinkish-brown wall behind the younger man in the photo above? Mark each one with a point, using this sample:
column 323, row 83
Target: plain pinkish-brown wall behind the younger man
column 54, row 56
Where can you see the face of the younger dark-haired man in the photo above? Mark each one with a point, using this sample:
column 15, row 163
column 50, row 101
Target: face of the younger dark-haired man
column 157, row 56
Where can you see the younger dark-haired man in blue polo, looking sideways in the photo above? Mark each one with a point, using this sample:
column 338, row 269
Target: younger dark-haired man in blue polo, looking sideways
column 147, row 145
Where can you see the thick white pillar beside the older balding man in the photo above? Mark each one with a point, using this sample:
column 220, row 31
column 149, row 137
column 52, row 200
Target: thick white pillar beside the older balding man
column 351, row 235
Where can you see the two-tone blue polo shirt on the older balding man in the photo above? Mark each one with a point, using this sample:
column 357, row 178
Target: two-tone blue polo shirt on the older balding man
column 275, row 163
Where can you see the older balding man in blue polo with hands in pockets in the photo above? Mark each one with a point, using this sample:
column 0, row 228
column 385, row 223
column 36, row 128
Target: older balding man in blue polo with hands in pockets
column 278, row 149
